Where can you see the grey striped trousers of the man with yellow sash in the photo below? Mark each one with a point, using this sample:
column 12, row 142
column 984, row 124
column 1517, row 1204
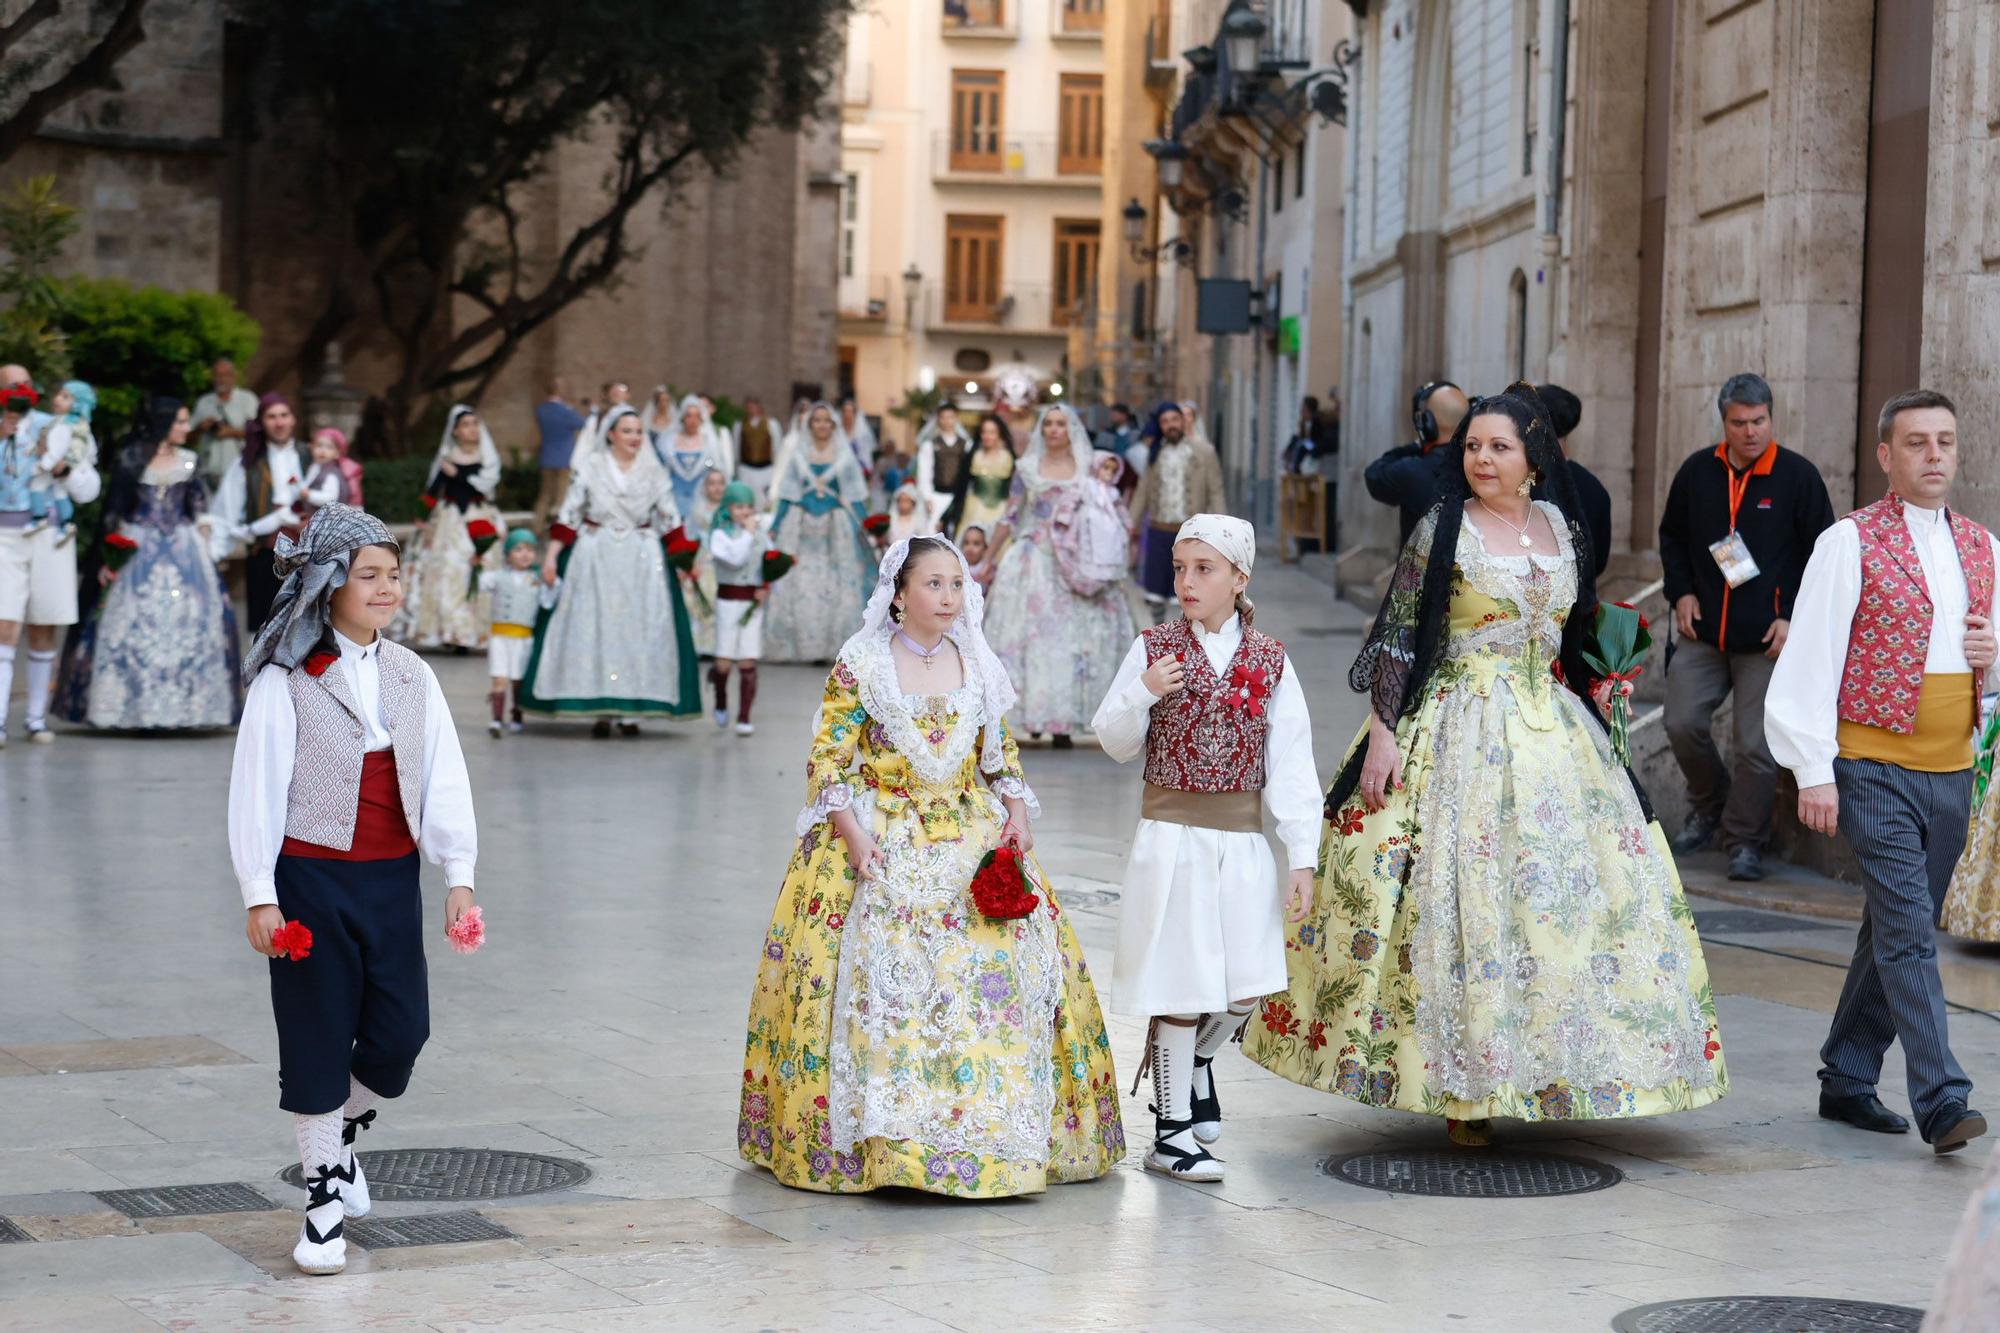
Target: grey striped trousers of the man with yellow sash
column 1907, row 832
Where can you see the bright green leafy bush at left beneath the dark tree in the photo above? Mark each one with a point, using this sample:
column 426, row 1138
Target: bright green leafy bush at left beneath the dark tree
column 135, row 341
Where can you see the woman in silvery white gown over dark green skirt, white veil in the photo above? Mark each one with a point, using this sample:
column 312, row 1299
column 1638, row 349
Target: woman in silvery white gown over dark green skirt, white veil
column 619, row 645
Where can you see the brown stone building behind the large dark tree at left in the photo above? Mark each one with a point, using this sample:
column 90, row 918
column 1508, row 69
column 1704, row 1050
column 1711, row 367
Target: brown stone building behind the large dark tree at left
column 731, row 287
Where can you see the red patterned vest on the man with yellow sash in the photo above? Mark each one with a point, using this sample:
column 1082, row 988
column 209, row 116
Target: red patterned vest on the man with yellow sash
column 1885, row 672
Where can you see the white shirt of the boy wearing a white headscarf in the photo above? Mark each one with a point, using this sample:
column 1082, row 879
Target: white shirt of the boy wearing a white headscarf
column 1291, row 780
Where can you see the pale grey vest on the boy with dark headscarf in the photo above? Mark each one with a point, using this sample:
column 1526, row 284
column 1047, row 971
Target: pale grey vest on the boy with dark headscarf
column 327, row 776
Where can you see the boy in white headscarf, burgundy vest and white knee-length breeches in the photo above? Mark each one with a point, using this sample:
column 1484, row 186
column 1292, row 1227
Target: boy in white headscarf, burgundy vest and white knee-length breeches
column 1221, row 720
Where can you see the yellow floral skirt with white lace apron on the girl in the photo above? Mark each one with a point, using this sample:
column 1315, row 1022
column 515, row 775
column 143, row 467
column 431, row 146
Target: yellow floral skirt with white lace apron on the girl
column 899, row 1038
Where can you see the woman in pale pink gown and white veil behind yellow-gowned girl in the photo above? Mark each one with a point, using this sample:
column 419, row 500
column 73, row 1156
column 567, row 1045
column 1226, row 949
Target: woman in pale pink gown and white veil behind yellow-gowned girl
column 1059, row 631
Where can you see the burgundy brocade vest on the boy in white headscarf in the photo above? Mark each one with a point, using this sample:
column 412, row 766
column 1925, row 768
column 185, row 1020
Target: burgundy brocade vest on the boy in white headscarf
column 1211, row 736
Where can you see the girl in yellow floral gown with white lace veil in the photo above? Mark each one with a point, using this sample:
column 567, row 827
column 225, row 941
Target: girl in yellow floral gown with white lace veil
column 897, row 1036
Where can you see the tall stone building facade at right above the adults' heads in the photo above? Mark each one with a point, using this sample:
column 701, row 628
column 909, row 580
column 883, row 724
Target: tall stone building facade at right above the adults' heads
column 1637, row 199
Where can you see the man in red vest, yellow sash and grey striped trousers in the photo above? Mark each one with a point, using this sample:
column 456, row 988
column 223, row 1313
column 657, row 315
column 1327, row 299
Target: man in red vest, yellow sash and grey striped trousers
column 1873, row 708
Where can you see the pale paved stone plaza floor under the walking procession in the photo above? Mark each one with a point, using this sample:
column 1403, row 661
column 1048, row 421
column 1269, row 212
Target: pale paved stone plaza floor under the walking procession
column 627, row 888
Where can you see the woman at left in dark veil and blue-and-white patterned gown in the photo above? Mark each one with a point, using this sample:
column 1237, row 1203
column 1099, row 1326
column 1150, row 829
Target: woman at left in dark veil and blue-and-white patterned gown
column 159, row 647
